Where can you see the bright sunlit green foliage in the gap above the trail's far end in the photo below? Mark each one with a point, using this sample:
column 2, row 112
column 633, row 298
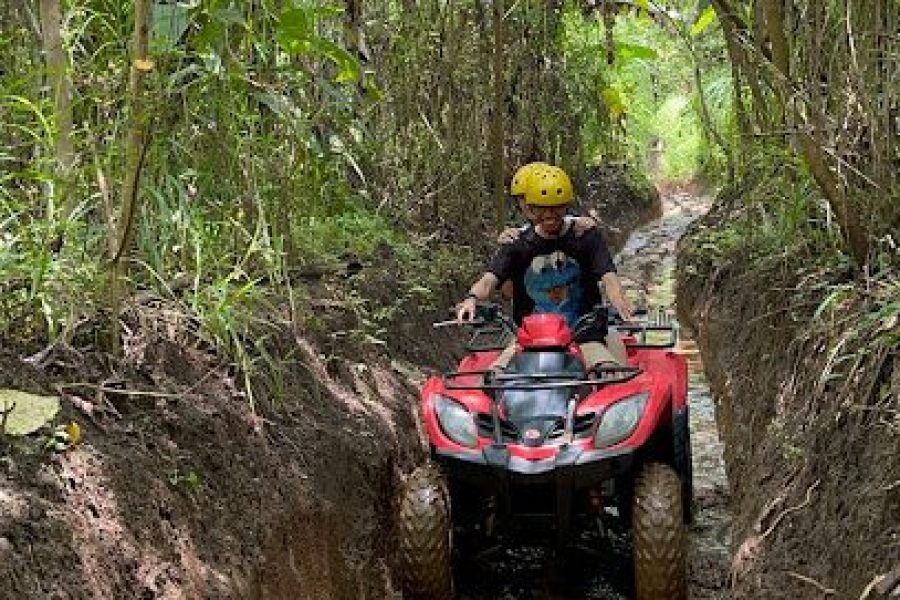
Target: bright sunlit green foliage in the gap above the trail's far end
column 649, row 94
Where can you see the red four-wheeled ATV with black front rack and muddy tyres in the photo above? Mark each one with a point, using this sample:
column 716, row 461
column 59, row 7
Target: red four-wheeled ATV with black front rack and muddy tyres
column 547, row 441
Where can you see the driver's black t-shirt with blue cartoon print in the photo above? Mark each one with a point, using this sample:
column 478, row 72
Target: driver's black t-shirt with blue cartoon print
column 558, row 275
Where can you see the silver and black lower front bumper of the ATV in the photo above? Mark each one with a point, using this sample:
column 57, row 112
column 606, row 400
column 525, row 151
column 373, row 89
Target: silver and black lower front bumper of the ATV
column 573, row 467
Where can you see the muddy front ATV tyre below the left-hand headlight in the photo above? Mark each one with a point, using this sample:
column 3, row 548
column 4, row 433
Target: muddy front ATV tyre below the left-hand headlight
column 425, row 534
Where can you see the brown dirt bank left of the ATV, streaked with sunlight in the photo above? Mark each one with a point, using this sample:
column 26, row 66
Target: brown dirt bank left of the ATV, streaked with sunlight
column 197, row 491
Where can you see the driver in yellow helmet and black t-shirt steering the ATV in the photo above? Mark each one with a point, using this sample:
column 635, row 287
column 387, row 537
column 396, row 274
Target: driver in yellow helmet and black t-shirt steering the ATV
column 552, row 269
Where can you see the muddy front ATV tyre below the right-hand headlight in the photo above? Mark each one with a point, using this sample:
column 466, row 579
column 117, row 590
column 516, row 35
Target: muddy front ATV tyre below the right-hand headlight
column 658, row 534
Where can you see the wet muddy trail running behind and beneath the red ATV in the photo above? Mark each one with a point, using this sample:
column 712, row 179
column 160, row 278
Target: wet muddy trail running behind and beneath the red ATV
column 647, row 265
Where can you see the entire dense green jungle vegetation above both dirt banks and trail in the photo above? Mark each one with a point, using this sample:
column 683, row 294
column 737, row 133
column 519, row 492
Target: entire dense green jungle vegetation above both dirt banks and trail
column 212, row 151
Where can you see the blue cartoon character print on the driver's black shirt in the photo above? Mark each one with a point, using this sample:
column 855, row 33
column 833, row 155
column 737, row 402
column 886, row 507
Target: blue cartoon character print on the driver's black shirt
column 553, row 282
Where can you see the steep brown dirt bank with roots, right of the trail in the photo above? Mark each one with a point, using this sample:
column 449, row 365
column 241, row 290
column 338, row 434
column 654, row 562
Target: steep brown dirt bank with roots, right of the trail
column 807, row 398
